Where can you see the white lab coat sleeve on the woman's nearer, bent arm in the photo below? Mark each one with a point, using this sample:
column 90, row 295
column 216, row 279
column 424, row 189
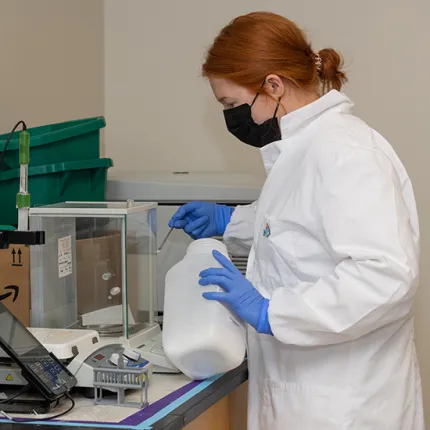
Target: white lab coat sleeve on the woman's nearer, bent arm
column 365, row 225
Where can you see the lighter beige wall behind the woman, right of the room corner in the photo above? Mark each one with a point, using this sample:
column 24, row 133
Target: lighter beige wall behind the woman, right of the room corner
column 162, row 116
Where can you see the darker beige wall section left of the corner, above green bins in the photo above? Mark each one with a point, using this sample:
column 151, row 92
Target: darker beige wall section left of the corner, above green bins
column 51, row 61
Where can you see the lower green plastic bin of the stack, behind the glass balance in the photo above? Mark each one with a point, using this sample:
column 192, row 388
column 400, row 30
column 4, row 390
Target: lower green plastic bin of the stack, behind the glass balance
column 54, row 183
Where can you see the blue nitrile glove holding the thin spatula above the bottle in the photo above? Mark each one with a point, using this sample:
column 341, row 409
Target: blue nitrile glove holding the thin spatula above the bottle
column 202, row 219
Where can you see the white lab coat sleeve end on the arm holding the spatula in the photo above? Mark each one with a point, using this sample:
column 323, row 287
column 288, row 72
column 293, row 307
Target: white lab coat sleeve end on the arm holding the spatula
column 239, row 234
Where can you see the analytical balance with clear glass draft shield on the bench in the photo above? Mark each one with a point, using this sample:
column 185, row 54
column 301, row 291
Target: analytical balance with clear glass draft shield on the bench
column 97, row 271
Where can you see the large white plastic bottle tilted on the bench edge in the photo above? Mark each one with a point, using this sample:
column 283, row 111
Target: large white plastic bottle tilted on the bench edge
column 200, row 337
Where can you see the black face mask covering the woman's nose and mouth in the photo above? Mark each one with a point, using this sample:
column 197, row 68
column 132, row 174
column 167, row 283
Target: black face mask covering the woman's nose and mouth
column 240, row 123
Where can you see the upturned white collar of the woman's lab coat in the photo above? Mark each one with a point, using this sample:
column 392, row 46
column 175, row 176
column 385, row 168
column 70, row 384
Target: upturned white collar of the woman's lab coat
column 295, row 121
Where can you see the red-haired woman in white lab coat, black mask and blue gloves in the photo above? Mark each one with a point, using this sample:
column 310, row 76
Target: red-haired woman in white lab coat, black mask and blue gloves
column 333, row 240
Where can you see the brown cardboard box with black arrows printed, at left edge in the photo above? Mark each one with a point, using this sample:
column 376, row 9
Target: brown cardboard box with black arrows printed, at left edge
column 15, row 281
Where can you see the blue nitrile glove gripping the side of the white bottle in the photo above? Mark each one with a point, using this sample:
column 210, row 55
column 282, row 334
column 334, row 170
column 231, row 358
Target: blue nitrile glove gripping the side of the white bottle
column 239, row 294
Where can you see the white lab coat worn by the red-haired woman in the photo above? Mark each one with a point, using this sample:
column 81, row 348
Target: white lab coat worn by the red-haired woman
column 335, row 247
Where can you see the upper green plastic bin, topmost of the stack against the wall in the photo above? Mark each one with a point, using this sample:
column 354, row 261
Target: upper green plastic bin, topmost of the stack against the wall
column 57, row 143
